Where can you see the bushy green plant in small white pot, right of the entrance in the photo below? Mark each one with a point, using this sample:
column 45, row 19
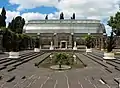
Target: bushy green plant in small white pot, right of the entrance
column 89, row 43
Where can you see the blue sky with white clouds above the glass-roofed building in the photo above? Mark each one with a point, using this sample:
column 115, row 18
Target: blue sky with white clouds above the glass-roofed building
column 84, row 9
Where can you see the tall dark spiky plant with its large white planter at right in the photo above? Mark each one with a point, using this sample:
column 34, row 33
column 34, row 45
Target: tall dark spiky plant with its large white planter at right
column 110, row 44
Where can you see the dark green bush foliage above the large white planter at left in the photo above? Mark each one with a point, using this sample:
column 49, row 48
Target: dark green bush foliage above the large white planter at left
column 10, row 40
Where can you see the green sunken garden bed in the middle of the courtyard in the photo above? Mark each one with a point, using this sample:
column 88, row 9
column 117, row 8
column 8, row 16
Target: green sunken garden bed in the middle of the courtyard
column 70, row 61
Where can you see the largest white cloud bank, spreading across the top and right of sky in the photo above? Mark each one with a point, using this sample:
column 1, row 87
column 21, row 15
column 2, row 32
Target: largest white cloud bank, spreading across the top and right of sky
column 97, row 9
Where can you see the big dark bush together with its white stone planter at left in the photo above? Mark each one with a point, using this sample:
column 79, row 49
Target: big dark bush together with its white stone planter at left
column 10, row 43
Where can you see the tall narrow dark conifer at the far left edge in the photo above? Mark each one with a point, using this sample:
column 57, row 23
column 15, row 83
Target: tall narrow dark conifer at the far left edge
column 3, row 18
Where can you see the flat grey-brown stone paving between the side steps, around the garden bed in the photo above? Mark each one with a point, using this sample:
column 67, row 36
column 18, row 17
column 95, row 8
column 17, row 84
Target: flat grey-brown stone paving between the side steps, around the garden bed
column 88, row 77
